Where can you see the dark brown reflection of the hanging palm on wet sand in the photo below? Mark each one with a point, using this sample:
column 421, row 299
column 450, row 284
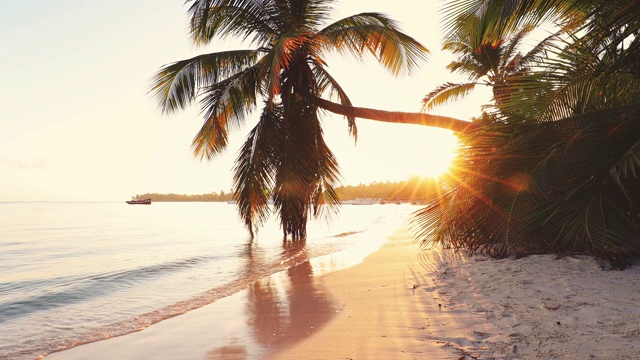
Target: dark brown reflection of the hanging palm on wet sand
column 282, row 308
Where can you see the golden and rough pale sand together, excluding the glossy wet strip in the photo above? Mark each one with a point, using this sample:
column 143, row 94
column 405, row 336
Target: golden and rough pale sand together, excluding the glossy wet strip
column 538, row 307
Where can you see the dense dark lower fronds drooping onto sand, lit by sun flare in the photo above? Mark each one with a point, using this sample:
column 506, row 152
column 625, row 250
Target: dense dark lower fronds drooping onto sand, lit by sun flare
column 550, row 187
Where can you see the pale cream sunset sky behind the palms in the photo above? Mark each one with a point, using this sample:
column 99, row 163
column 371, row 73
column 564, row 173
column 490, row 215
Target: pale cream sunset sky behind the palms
column 77, row 123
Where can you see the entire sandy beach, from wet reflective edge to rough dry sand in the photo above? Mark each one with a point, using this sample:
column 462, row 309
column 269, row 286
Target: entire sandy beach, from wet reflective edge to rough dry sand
column 406, row 303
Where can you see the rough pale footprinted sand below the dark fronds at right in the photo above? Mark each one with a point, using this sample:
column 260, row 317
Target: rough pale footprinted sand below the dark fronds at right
column 542, row 307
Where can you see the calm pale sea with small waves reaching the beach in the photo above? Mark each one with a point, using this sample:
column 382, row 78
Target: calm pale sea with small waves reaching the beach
column 77, row 272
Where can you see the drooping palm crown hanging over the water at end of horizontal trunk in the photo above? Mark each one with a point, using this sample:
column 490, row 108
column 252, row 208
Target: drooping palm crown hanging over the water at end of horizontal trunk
column 284, row 156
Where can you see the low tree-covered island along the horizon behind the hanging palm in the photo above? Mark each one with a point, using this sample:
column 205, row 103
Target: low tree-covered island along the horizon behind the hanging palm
column 415, row 189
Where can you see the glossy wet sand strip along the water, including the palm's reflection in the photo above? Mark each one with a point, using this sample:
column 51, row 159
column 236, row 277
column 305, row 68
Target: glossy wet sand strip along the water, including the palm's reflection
column 259, row 320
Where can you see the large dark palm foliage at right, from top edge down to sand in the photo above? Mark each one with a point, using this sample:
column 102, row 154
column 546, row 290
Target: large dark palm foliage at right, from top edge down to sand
column 565, row 182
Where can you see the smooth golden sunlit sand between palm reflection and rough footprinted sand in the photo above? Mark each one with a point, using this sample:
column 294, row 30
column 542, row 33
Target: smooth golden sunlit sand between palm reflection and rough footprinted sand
column 388, row 309
